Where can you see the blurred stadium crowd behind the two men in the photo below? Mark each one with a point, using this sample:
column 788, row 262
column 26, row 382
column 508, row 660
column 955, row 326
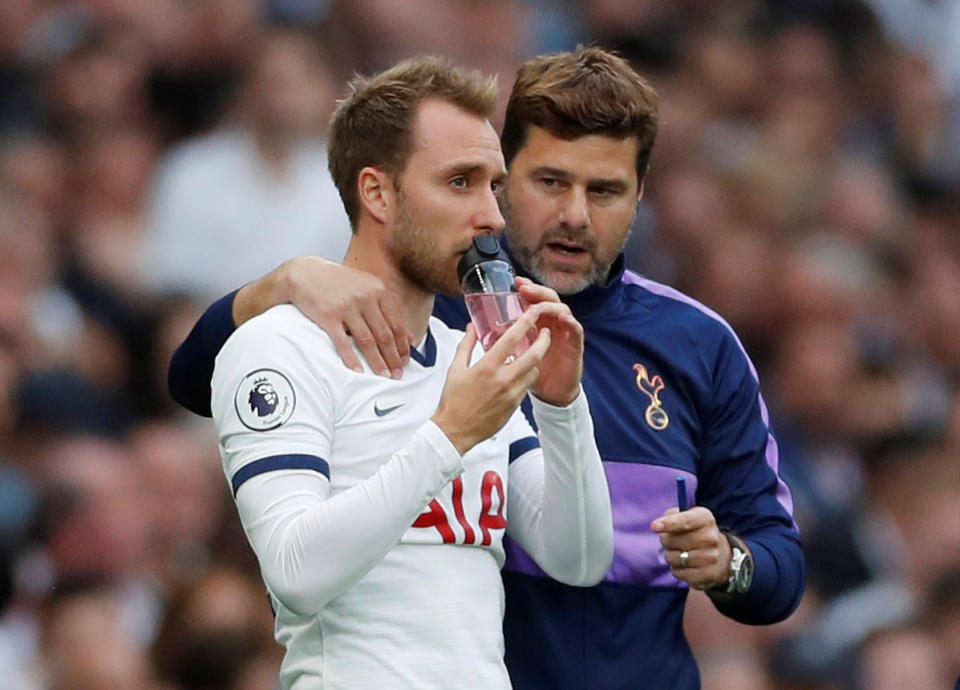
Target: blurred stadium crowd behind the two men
column 155, row 154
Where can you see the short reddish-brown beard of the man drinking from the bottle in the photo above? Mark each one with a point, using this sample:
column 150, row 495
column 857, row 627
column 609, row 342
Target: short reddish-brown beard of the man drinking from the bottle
column 414, row 251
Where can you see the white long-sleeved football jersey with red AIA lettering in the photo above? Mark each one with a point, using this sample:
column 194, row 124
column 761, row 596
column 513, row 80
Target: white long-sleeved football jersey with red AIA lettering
column 379, row 544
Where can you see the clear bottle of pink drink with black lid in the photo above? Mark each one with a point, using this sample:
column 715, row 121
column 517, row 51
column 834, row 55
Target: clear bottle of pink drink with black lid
column 489, row 289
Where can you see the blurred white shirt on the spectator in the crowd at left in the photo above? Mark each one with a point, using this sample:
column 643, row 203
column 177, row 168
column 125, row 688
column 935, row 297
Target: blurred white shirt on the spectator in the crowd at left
column 218, row 218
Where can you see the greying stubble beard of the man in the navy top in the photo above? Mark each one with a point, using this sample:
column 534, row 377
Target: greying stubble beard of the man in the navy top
column 530, row 259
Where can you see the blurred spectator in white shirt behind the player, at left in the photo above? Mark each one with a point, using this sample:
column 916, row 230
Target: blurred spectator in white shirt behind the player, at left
column 260, row 183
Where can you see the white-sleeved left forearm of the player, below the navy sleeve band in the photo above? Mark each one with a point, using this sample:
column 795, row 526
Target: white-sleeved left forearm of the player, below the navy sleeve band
column 311, row 547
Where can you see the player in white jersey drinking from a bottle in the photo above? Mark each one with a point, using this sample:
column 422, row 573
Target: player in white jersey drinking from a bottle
column 377, row 507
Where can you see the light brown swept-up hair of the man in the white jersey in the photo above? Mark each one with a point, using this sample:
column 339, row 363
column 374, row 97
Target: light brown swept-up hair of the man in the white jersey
column 373, row 125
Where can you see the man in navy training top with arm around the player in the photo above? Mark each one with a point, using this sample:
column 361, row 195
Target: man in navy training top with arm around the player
column 672, row 392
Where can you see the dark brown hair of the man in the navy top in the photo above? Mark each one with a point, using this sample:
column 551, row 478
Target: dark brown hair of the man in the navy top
column 588, row 91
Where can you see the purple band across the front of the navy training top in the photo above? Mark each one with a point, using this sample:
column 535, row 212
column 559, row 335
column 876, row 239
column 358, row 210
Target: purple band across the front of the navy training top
column 639, row 493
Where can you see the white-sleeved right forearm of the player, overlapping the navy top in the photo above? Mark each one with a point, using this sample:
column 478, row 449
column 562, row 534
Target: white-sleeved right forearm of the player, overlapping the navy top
column 560, row 510
